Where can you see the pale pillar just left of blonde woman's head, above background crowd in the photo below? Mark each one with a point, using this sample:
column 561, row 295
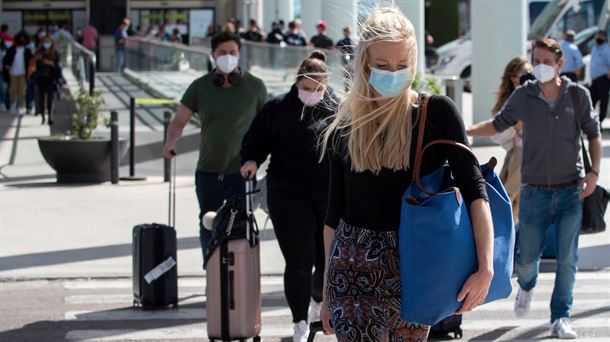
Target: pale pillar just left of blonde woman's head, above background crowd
column 338, row 14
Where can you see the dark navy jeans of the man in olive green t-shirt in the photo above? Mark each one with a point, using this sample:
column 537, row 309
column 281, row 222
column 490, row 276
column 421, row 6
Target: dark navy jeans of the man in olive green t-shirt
column 212, row 189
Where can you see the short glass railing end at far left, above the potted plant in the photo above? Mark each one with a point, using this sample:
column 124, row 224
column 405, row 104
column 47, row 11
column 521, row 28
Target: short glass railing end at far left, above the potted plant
column 82, row 62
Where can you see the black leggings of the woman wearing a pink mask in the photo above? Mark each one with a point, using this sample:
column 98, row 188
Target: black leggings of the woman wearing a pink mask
column 298, row 221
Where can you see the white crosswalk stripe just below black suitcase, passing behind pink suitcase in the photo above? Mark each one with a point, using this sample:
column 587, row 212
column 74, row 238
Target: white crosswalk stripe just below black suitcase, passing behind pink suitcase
column 169, row 314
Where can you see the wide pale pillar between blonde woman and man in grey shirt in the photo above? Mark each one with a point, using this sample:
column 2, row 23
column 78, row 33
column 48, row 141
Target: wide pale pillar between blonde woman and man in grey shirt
column 499, row 33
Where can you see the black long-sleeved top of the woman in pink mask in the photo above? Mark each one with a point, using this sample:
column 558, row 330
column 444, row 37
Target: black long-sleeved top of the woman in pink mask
column 292, row 142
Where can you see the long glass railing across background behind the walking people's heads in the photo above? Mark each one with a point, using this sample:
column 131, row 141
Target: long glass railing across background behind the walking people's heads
column 276, row 65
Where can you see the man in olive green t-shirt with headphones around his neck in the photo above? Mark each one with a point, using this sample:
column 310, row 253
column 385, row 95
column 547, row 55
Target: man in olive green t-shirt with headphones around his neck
column 227, row 101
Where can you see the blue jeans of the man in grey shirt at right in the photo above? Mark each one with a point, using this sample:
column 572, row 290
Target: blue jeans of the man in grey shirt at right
column 538, row 209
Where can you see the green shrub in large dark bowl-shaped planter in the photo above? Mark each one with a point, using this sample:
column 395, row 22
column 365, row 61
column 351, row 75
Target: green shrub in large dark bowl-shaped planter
column 80, row 156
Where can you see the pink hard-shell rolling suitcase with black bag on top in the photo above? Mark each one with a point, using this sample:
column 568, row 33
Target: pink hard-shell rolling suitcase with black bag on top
column 233, row 273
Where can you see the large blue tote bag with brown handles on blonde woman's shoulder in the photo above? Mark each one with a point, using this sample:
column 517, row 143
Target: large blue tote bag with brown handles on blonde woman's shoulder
column 436, row 239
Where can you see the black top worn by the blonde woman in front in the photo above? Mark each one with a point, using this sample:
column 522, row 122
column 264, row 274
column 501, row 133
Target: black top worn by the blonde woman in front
column 373, row 201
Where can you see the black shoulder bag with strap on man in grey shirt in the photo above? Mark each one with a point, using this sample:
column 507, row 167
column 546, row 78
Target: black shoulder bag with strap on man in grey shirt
column 594, row 205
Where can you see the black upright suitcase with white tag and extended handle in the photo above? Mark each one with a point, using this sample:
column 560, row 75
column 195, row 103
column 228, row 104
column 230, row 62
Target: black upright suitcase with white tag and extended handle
column 155, row 272
